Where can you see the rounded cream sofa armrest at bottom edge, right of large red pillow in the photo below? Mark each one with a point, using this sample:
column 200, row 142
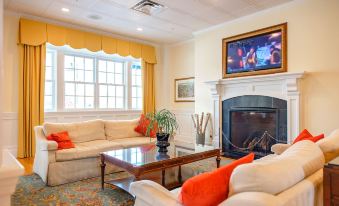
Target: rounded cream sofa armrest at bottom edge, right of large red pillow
column 253, row 199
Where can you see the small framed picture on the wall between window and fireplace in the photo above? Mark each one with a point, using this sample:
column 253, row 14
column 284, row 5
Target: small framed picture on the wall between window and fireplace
column 184, row 89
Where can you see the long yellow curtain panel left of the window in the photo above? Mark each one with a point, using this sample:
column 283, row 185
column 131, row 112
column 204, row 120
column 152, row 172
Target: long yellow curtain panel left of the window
column 31, row 96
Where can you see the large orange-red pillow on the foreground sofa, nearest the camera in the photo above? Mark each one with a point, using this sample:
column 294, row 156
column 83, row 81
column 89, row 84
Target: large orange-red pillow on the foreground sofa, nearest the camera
column 210, row 188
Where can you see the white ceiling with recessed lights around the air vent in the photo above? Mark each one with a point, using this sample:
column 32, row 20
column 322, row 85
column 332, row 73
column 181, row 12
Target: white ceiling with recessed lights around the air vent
column 175, row 23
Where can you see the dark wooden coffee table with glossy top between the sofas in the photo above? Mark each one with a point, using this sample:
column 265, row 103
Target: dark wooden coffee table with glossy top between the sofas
column 146, row 159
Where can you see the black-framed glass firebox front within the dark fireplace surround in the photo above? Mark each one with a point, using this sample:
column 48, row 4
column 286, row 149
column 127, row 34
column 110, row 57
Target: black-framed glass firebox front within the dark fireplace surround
column 253, row 130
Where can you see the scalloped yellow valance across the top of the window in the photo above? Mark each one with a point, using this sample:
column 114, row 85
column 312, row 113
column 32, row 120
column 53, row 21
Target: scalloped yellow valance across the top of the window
column 35, row 33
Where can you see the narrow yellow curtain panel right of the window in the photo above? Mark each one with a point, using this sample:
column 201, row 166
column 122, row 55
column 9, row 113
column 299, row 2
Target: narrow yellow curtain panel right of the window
column 148, row 87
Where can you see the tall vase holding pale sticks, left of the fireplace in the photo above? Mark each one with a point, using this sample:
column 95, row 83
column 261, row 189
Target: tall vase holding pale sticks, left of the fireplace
column 200, row 124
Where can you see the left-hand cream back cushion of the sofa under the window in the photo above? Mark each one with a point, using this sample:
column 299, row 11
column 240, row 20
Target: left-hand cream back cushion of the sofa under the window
column 79, row 131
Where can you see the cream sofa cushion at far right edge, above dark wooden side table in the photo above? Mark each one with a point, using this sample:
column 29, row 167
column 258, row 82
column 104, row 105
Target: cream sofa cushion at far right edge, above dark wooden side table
column 330, row 145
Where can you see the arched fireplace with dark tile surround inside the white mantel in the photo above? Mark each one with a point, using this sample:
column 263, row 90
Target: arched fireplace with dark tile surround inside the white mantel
column 253, row 123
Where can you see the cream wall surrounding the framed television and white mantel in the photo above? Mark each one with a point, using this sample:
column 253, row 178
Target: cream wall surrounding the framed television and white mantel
column 313, row 44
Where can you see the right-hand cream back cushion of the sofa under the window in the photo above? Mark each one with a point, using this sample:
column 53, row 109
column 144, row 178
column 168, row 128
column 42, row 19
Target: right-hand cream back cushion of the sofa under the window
column 117, row 129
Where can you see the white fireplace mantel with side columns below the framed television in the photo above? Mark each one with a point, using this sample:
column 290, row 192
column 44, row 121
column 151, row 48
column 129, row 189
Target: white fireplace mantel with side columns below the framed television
column 281, row 85
